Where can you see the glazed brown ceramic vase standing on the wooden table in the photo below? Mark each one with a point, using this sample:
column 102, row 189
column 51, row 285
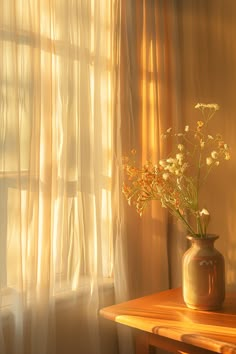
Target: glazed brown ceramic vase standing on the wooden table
column 203, row 270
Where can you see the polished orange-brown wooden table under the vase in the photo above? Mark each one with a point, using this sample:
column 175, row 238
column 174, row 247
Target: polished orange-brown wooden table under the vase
column 163, row 321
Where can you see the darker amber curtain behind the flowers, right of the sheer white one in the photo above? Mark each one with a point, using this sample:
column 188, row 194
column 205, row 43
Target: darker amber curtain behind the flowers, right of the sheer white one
column 149, row 90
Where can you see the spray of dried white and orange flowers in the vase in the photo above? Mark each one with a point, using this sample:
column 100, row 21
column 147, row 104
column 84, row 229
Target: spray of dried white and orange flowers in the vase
column 176, row 181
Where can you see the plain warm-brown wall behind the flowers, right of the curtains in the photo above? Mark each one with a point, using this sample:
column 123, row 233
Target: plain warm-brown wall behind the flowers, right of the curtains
column 207, row 50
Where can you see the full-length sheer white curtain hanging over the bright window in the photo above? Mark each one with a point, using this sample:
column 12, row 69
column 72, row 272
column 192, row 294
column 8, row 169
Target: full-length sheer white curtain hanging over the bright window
column 58, row 67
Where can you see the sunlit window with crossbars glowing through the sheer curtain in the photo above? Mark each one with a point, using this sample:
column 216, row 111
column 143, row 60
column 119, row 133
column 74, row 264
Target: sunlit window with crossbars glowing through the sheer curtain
column 58, row 68
